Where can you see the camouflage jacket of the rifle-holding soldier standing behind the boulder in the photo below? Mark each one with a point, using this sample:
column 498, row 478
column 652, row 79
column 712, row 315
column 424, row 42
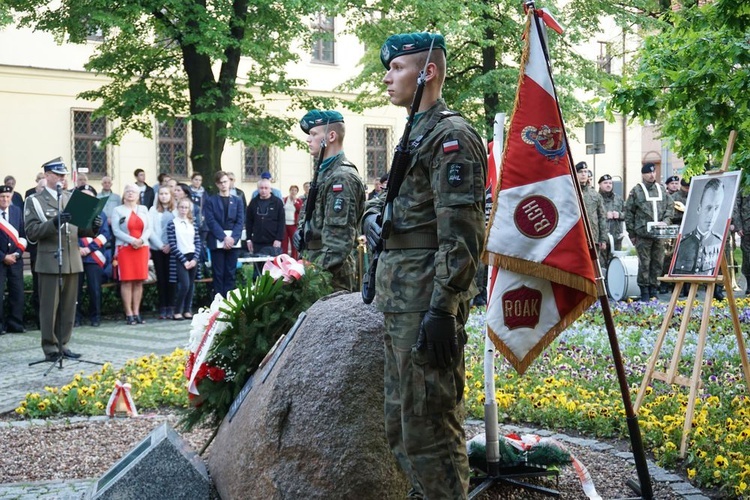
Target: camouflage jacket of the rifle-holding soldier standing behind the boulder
column 334, row 224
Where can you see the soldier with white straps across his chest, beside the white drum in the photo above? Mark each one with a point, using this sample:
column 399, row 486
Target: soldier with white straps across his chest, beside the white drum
column 648, row 202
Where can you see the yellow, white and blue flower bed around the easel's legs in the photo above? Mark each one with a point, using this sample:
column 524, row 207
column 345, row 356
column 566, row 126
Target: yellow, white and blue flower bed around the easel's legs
column 574, row 386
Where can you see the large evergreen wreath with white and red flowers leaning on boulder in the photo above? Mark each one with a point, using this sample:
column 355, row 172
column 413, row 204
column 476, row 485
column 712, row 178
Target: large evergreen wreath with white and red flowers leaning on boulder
column 231, row 337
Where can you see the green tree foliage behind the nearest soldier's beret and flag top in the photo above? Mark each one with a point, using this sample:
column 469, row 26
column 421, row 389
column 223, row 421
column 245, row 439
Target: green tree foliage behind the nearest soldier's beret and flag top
column 484, row 49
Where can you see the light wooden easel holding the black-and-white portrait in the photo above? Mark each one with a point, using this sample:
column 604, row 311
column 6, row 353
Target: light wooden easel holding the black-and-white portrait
column 671, row 376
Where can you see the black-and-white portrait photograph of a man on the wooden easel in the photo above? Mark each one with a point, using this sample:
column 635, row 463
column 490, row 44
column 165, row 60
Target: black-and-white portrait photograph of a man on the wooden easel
column 704, row 228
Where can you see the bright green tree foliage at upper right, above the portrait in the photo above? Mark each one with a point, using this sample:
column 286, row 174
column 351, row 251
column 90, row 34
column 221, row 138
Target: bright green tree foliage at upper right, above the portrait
column 692, row 78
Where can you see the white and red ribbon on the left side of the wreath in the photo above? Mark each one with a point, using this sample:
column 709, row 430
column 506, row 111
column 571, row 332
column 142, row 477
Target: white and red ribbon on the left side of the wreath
column 204, row 329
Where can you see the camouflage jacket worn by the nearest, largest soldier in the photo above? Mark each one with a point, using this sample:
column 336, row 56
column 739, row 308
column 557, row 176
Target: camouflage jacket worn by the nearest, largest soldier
column 443, row 195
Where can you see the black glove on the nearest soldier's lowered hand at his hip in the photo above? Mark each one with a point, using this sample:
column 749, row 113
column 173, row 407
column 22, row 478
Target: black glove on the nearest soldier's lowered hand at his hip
column 437, row 333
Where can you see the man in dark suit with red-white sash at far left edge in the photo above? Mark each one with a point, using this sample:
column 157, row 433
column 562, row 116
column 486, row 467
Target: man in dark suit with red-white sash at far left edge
column 12, row 246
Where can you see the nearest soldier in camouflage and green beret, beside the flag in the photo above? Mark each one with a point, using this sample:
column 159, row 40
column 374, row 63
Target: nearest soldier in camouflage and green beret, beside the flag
column 424, row 280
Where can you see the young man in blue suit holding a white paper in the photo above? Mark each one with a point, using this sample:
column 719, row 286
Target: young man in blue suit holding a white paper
column 225, row 216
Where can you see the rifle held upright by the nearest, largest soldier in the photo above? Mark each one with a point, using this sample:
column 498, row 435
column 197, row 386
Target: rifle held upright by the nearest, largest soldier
column 399, row 164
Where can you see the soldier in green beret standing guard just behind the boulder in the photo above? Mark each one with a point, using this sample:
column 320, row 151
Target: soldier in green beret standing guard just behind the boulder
column 331, row 237
